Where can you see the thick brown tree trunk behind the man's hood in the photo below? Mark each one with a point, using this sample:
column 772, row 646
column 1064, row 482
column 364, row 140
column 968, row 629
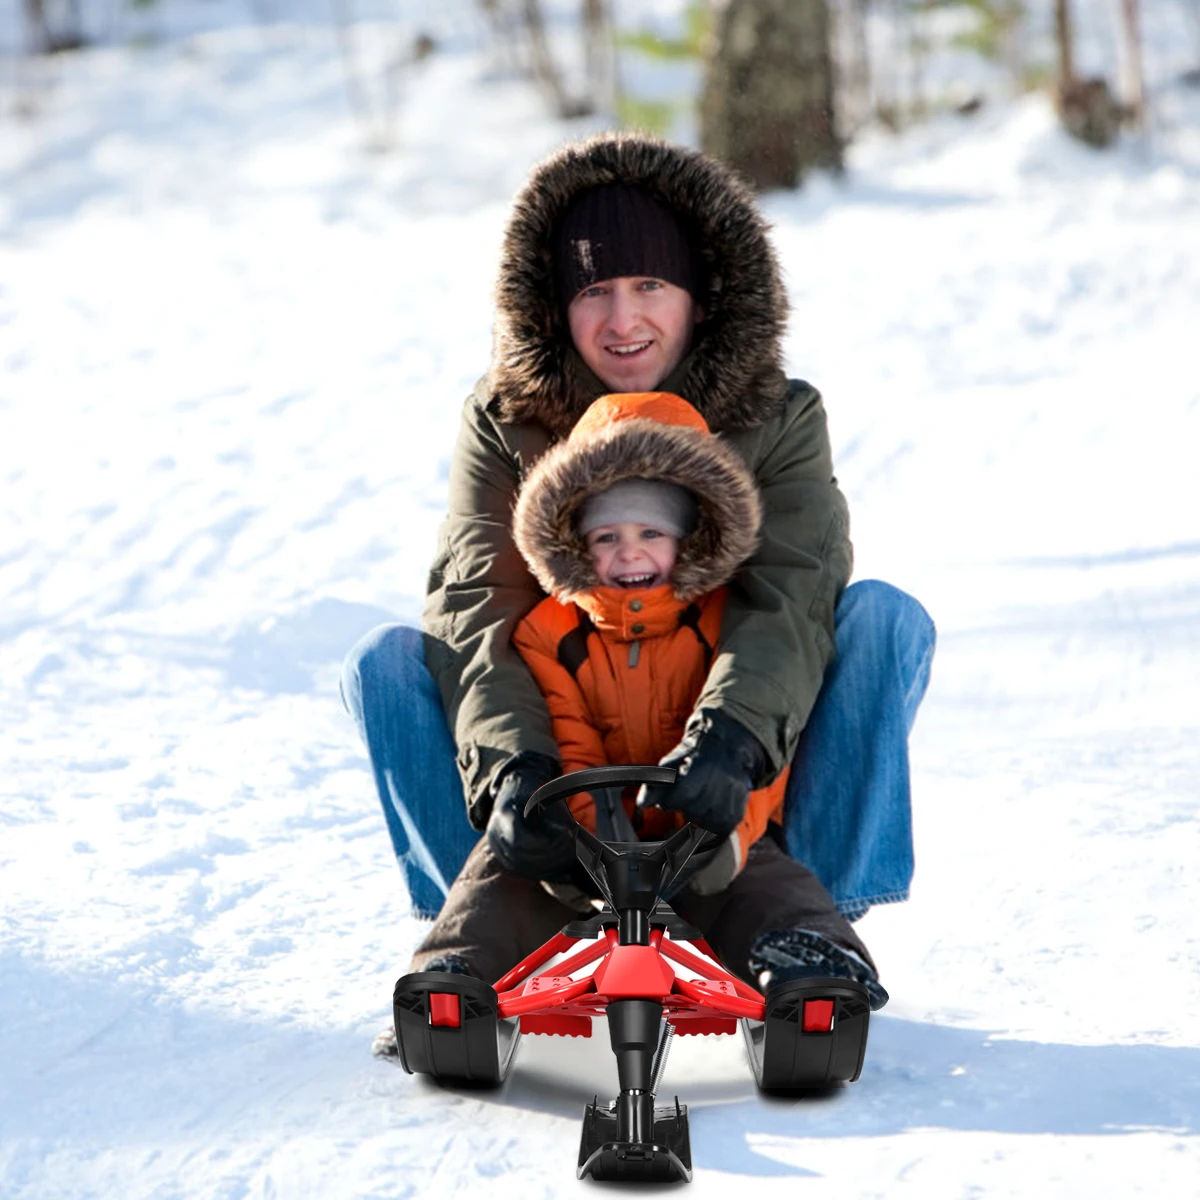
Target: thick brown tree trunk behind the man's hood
column 767, row 106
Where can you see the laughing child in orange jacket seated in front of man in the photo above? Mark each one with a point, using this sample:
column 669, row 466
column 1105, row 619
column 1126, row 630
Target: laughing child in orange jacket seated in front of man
column 635, row 526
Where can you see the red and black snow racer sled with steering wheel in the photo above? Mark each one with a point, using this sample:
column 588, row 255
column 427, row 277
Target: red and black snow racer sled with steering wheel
column 803, row 1035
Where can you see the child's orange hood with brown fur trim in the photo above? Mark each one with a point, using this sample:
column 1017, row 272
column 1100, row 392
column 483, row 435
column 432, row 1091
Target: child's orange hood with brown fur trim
column 646, row 436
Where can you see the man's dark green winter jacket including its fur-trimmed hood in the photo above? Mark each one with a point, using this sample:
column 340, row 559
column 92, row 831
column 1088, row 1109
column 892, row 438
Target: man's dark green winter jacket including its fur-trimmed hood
column 777, row 637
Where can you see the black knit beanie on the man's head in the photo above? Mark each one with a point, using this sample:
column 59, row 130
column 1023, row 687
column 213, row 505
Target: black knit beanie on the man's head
column 619, row 231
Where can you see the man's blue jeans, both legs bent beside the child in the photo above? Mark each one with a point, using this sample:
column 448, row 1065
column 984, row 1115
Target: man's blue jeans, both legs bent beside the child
column 848, row 814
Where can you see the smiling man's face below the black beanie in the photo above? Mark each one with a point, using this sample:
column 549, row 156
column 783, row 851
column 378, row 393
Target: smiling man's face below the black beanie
column 633, row 332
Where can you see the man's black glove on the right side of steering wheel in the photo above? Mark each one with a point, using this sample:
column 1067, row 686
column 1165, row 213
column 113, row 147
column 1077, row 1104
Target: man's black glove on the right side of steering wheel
column 718, row 763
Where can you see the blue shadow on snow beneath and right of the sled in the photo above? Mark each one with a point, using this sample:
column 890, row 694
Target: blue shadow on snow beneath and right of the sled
column 917, row 1076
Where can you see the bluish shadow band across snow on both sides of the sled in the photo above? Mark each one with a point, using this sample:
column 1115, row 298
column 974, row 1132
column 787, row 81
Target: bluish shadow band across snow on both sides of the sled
column 98, row 1061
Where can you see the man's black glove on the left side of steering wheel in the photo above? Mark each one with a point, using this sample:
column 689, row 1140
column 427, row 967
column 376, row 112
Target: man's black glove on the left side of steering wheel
column 542, row 845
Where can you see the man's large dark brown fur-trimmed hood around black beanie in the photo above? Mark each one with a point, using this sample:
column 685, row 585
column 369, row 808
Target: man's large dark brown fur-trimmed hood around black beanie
column 734, row 374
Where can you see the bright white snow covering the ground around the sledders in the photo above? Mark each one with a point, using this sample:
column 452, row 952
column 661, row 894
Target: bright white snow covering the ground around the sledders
column 233, row 349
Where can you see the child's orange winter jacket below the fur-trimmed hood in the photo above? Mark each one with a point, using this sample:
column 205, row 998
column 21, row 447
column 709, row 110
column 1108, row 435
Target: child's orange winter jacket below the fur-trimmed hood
column 621, row 673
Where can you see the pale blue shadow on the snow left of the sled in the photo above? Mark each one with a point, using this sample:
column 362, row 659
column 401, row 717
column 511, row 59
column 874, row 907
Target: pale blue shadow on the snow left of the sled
column 92, row 1058
